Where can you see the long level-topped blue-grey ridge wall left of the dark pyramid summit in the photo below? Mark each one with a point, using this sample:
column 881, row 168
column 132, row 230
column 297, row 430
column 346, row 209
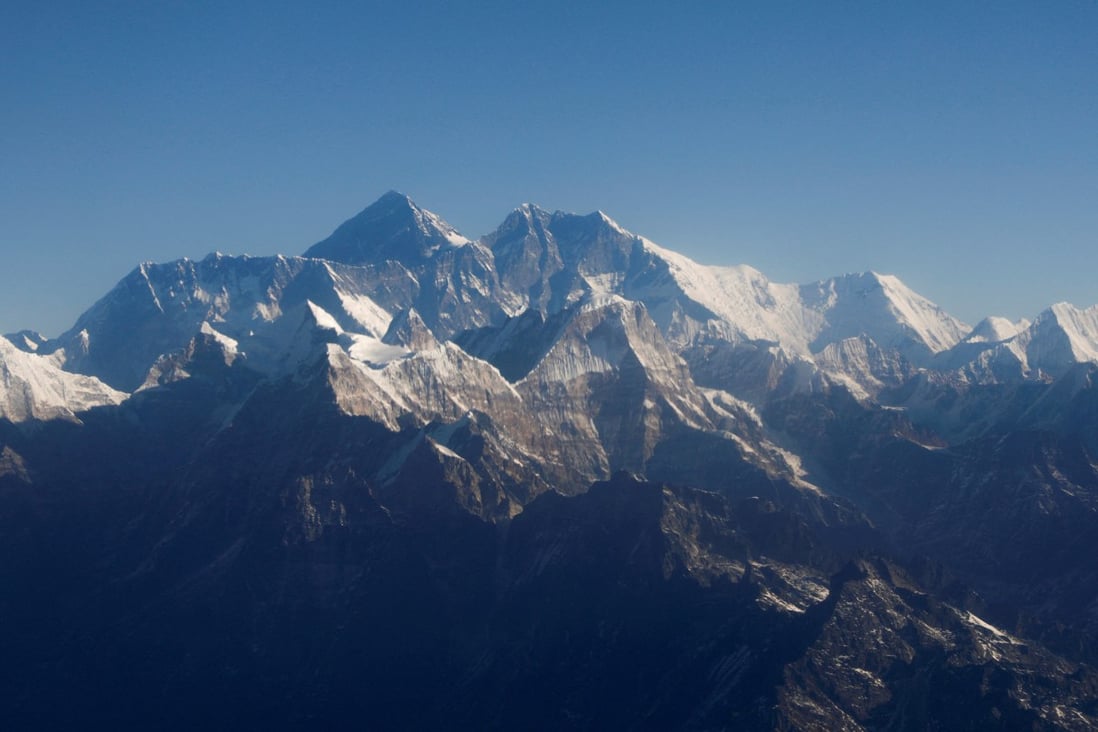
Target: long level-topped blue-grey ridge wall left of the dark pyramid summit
column 158, row 309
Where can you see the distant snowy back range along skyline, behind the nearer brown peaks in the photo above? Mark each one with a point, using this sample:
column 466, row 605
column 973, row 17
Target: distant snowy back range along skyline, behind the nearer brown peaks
column 396, row 258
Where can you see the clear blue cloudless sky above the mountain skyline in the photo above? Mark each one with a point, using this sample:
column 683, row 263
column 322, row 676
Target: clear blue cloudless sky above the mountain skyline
column 953, row 144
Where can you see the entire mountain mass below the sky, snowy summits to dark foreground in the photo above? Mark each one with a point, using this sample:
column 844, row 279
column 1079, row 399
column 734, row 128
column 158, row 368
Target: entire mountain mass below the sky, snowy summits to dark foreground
column 558, row 478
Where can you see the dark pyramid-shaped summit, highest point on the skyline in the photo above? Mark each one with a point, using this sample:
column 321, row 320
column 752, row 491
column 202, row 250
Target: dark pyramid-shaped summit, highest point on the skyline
column 394, row 228
